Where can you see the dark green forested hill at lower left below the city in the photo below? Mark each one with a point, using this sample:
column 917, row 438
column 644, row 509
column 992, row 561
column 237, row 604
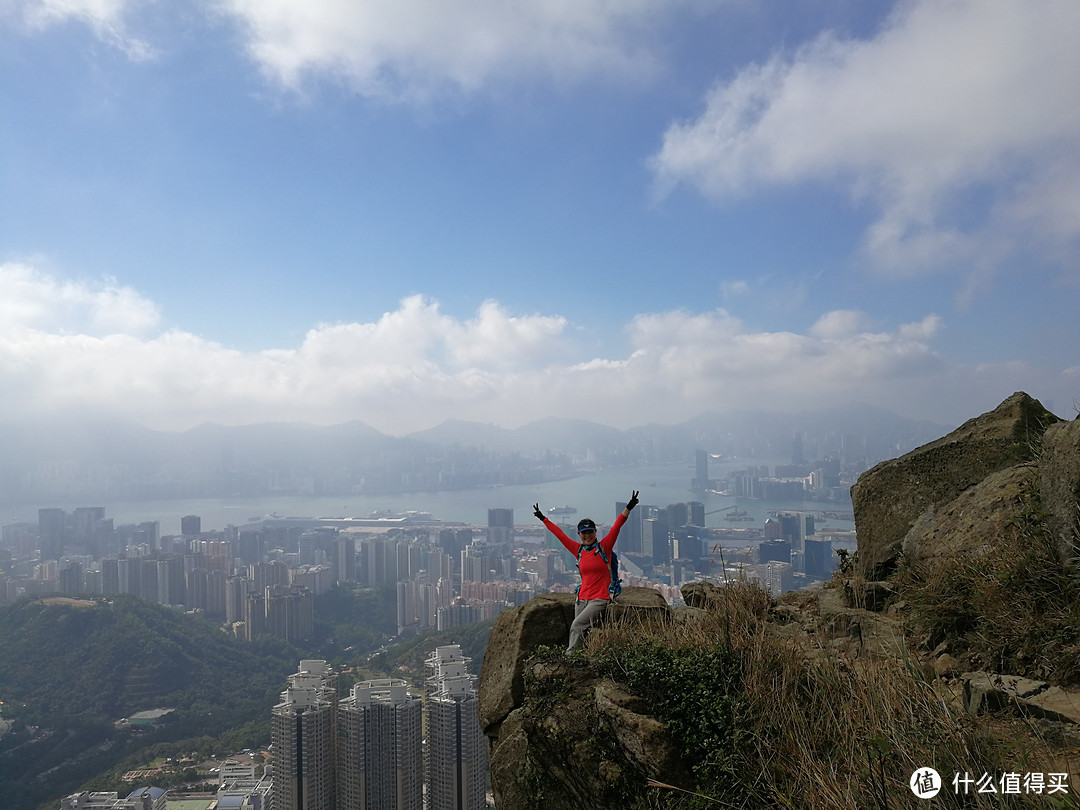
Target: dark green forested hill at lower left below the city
column 71, row 669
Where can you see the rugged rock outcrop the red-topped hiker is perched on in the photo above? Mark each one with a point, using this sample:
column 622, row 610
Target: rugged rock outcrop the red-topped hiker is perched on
column 560, row 737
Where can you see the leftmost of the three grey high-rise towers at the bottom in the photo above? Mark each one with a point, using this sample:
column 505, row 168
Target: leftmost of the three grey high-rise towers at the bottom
column 303, row 730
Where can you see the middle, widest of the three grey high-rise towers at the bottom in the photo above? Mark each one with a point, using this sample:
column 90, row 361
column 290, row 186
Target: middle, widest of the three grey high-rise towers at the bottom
column 380, row 748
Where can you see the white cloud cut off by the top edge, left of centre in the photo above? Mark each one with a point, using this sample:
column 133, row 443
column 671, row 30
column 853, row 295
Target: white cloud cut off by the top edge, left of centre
column 410, row 49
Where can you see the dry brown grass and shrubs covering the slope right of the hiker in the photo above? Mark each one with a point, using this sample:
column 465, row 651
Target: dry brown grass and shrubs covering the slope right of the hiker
column 765, row 721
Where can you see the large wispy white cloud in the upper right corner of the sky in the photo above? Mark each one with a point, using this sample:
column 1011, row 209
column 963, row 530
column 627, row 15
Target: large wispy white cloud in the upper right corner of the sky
column 951, row 102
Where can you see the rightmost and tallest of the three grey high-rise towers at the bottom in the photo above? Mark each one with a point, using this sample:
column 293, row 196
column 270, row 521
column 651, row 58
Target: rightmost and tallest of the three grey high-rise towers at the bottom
column 457, row 751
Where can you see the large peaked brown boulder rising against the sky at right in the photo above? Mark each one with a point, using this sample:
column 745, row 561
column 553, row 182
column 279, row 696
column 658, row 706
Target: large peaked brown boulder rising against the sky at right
column 890, row 498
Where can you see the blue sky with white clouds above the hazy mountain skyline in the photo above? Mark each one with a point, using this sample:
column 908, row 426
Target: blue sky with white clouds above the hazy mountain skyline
column 625, row 211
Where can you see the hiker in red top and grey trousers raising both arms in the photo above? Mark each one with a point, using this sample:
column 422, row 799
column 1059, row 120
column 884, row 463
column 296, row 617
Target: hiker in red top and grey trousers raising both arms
column 595, row 564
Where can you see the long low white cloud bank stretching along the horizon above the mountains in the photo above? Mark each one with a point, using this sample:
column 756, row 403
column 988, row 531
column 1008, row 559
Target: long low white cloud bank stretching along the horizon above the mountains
column 70, row 348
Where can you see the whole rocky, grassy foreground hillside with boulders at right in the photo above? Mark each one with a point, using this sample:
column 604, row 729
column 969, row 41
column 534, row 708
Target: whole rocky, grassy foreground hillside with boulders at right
column 950, row 642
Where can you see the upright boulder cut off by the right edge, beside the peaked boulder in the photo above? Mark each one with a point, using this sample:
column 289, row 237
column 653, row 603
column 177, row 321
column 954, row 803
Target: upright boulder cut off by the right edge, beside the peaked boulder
column 1060, row 487
